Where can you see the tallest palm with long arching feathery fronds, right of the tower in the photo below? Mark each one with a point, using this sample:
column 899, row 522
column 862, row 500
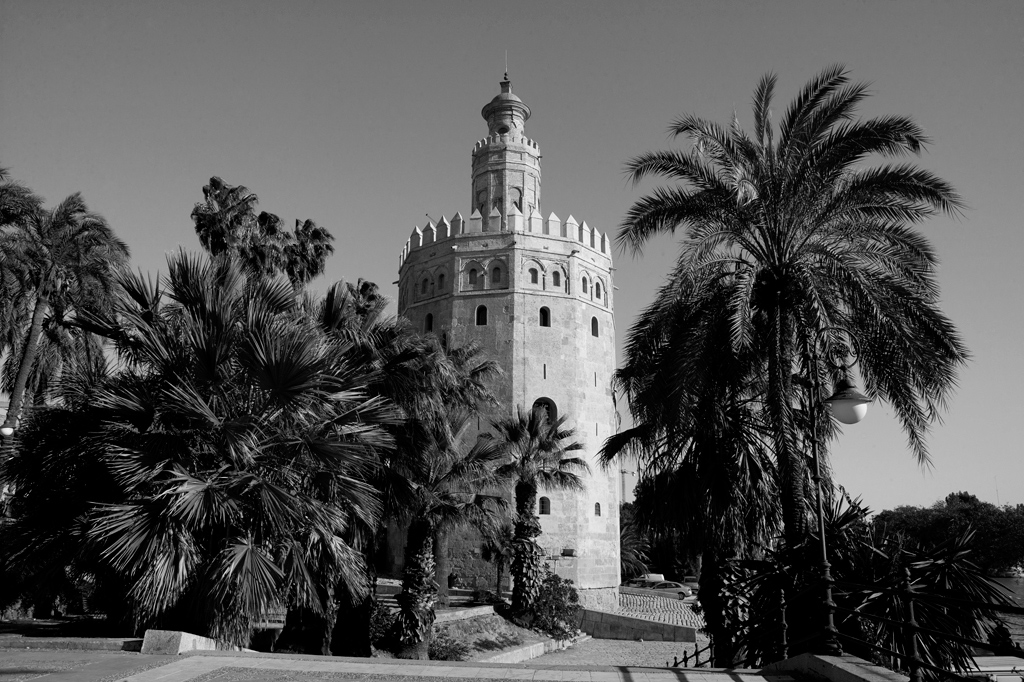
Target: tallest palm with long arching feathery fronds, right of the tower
column 814, row 248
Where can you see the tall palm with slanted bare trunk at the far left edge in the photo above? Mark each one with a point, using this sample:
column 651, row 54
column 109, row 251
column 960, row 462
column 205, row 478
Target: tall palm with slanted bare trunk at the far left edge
column 64, row 262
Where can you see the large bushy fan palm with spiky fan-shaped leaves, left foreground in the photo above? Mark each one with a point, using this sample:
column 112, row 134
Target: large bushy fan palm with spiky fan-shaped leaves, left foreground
column 233, row 451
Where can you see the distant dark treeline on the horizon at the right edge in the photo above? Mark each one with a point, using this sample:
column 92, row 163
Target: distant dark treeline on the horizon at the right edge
column 999, row 531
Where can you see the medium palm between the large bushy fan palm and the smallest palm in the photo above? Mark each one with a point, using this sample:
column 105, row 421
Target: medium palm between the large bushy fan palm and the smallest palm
column 449, row 491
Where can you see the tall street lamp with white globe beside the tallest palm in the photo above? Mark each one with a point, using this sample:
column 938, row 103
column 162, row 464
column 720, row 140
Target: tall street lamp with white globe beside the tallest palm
column 849, row 407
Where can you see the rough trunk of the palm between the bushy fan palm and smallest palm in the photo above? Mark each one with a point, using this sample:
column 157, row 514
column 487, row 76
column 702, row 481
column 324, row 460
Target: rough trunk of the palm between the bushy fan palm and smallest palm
column 419, row 590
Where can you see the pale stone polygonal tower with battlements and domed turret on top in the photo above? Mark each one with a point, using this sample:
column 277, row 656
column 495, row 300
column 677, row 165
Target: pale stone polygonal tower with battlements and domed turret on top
column 537, row 294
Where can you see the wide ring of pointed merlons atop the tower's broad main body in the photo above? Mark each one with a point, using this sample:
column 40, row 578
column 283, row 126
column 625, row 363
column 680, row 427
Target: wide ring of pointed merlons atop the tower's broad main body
column 552, row 227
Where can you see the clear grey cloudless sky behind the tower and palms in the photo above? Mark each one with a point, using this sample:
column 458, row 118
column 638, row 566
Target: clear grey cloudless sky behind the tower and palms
column 362, row 117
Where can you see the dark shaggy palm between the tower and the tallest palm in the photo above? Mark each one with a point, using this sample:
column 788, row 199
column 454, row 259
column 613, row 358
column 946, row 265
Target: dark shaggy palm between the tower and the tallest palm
column 700, row 437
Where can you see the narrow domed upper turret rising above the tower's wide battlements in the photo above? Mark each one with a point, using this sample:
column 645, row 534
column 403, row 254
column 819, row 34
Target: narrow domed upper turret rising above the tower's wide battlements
column 506, row 163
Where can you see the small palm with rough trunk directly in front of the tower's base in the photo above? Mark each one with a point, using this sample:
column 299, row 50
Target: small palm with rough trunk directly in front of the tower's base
column 538, row 454
